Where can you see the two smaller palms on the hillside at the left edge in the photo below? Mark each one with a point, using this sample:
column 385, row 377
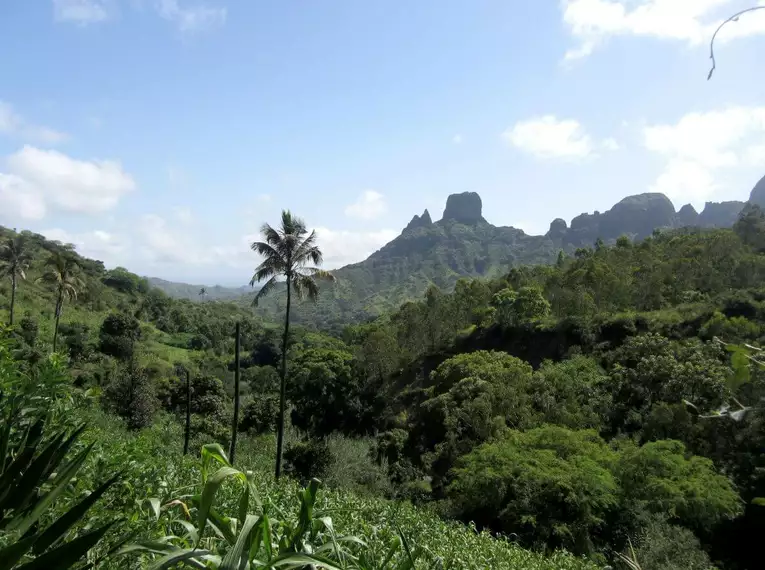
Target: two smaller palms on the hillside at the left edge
column 61, row 272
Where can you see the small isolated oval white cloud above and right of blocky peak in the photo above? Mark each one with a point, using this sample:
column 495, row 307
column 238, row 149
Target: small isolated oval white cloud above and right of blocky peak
column 549, row 137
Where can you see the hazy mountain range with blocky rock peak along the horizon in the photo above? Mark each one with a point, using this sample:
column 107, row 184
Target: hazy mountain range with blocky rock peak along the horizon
column 463, row 244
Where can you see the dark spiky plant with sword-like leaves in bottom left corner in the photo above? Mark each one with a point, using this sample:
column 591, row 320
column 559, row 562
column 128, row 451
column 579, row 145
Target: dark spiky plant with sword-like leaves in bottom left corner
column 35, row 472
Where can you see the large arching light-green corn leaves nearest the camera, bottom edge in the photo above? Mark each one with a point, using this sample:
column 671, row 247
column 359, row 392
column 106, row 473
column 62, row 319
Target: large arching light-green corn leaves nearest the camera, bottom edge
column 266, row 539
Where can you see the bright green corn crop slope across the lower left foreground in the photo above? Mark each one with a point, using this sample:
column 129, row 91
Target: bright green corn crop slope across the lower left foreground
column 167, row 514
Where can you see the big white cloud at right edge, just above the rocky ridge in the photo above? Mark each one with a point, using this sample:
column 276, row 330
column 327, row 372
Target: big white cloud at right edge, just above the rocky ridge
column 701, row 146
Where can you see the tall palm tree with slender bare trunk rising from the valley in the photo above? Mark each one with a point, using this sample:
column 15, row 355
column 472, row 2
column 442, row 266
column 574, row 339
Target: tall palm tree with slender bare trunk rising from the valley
column 287, row 252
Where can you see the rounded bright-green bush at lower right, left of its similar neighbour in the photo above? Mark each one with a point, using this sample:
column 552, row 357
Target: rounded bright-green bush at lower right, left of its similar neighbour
column 550, row 486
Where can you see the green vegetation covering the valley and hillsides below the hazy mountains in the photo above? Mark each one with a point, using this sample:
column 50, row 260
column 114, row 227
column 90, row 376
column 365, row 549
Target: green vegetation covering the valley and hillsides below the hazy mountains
column 607, row 406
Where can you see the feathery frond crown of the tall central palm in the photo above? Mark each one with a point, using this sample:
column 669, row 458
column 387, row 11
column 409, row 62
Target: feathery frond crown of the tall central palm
column 287, row 252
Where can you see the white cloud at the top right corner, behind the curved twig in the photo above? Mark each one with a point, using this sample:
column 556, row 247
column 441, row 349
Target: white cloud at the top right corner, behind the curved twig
column 690, row 21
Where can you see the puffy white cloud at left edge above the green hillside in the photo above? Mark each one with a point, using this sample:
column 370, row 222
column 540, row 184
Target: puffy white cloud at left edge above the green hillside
column 50, row 178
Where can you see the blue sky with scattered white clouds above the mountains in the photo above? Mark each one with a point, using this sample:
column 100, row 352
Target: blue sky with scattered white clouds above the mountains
column 159, row 135
